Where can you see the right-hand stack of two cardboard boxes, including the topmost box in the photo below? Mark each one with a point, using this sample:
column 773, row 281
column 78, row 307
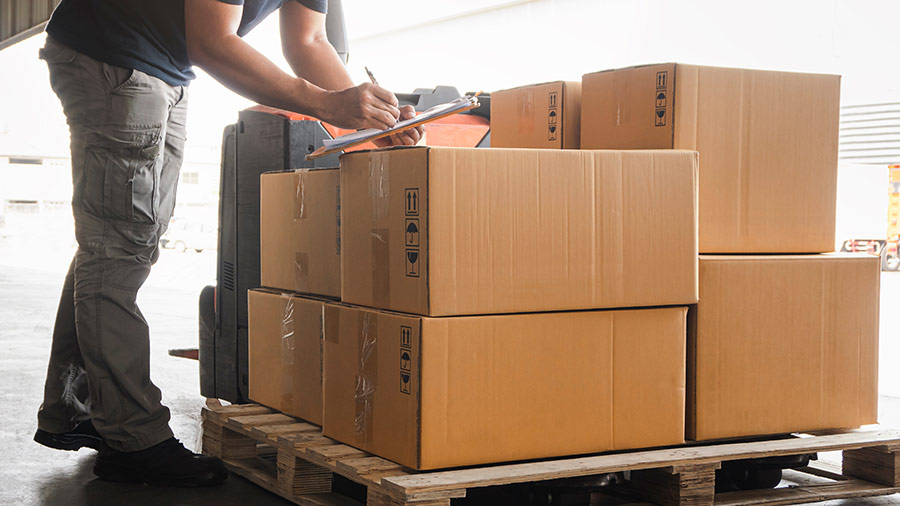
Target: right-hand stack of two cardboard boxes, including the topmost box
column 783, row 339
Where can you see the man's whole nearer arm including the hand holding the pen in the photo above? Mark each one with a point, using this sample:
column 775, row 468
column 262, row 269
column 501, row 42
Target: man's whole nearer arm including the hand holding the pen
column 213, row 44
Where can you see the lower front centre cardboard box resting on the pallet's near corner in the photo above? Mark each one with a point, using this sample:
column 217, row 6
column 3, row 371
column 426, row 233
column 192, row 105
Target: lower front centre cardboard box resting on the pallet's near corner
column 441, row 392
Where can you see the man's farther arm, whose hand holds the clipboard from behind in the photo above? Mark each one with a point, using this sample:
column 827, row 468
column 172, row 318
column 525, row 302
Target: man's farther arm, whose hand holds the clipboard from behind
column 306, row 48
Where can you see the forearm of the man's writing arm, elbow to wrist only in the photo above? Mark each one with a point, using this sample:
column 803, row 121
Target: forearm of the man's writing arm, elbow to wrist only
column 243, row 69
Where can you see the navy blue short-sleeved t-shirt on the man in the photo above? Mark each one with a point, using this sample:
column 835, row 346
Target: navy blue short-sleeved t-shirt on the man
column 147, row 35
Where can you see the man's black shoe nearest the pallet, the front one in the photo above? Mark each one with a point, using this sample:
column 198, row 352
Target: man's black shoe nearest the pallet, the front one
column 167, row 464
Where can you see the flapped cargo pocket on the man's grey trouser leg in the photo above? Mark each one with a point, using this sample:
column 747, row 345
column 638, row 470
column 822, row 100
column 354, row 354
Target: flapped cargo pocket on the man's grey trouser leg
column 121, row 180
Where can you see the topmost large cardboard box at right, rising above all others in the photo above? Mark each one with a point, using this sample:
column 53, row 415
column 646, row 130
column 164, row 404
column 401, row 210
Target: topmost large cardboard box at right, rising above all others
column 768, row 145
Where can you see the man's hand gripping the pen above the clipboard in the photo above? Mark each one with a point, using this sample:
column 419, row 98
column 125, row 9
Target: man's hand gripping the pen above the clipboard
column 363, row 106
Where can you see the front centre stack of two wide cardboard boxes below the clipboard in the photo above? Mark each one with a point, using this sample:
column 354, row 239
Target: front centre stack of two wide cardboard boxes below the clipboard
column 465, row 266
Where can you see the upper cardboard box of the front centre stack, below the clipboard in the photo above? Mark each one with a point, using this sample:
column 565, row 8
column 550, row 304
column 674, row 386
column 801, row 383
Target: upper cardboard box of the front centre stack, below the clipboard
column 456, row 231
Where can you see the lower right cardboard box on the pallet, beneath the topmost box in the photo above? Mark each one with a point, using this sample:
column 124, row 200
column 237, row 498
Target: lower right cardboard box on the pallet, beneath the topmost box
column 781, row 344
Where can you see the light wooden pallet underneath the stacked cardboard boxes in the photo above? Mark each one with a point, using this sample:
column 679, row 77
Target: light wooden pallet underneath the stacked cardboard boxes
column 294, row 460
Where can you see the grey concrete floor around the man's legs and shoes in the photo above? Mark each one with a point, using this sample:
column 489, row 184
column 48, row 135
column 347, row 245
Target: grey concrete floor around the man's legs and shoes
column 34, row 475
